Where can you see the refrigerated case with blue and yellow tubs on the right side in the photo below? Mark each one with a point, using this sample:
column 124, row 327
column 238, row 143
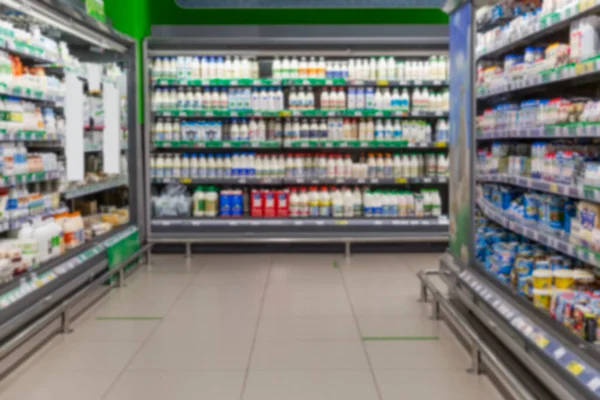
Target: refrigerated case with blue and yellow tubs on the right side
column 529, row 270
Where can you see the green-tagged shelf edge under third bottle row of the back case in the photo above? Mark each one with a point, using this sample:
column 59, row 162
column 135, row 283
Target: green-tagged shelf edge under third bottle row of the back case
column 299, row 144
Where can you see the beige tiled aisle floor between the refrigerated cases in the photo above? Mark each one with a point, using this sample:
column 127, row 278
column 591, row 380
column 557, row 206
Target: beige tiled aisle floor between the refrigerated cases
column 258, row 327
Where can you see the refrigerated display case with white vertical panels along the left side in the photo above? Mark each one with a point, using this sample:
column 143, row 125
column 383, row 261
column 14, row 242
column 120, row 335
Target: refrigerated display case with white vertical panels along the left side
column 56, row 230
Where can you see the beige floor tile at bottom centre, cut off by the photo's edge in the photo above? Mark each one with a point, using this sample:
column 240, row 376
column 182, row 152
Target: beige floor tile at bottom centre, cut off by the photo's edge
column 313, row 385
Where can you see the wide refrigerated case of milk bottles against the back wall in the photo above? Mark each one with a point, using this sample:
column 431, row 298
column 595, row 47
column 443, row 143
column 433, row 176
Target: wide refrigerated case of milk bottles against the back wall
column 282, row 139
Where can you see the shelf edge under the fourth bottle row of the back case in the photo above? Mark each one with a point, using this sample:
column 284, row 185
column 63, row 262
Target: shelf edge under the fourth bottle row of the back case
column 301, row 181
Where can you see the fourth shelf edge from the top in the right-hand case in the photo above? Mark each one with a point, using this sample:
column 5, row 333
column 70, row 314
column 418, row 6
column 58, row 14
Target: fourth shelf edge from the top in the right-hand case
column 575, row 191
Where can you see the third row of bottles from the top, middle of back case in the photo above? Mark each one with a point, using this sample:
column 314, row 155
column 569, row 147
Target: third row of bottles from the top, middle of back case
column 413, row 131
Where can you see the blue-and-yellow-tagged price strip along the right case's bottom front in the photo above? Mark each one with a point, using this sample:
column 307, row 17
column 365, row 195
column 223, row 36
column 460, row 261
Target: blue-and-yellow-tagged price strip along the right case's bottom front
column 536, row 336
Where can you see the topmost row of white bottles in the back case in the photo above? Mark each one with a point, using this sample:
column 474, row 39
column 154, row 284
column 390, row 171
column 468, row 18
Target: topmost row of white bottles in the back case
column 237, row 67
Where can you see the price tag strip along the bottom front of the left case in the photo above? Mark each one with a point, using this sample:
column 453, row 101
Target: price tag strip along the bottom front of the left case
column 21, row 291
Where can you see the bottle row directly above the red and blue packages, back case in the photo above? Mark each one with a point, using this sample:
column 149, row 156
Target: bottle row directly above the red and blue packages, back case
column 274, row 166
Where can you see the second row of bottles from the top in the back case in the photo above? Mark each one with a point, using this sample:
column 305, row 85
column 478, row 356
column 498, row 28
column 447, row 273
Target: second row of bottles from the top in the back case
column 276, row 99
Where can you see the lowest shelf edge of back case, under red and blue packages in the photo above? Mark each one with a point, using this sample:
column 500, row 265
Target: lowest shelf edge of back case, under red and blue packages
column 296, row 222
